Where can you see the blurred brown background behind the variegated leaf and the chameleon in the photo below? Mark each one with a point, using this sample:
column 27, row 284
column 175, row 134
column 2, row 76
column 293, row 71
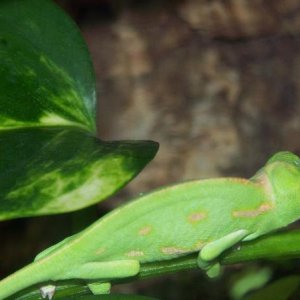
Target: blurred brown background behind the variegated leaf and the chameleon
column 216, row 83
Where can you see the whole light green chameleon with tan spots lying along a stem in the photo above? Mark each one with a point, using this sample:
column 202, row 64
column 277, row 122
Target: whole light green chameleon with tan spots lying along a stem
column 206, row 216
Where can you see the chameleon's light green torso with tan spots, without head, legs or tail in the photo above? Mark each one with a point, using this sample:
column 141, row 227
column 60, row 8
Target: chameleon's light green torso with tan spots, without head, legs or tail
column 167, row 224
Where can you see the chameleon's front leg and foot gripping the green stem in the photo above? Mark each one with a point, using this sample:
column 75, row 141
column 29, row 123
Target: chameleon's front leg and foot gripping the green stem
column 212, row 250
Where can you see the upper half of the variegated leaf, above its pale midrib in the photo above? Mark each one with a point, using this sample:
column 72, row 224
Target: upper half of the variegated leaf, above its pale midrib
column 46, row 76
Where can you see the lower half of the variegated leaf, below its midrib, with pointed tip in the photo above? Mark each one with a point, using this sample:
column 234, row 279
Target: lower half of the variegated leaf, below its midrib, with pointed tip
column 50, row 170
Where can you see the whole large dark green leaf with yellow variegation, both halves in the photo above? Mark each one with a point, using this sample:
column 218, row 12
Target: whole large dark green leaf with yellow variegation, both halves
column 50, row 160
